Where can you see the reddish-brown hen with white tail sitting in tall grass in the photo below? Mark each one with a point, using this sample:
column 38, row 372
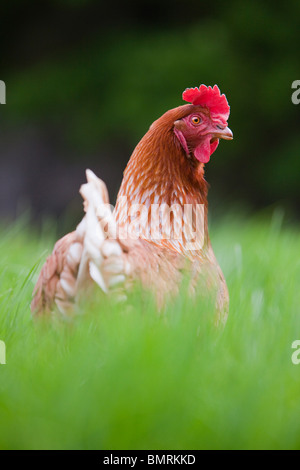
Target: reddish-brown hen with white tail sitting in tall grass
column 158, row 230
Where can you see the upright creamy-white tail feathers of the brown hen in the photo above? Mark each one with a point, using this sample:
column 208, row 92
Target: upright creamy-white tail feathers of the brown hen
column 95, row 254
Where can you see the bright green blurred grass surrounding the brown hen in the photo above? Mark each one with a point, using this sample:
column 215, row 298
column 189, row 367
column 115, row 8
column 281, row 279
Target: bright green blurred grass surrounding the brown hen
column 124, row 377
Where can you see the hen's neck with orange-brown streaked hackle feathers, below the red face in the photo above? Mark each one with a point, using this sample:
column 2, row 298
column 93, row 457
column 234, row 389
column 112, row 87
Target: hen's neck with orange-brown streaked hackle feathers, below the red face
column 159, row 173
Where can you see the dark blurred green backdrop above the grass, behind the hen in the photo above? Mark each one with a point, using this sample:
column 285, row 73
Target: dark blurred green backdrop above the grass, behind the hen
column 85, row 79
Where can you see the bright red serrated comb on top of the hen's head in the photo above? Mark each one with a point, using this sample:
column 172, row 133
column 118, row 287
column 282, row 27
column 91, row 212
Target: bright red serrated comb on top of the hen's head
column 210, row 97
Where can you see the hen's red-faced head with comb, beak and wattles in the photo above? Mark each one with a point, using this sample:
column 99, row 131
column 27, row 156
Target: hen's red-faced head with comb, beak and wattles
column 205, row 122
